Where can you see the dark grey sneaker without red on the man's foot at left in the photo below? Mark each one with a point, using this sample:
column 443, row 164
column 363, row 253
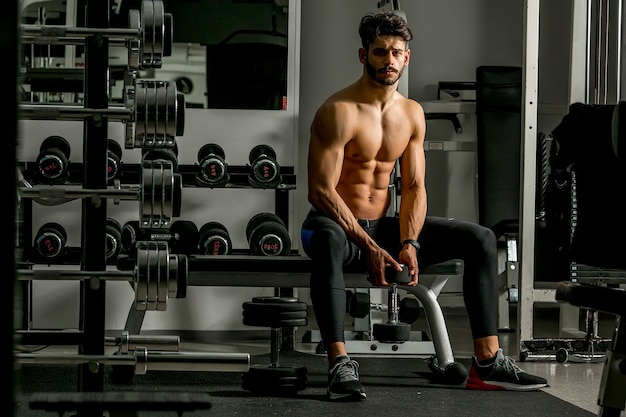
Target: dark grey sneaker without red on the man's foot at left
column 343, row 381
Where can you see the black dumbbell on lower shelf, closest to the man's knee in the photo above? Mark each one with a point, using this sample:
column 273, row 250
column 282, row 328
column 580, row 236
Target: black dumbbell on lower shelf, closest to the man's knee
column 267, row 235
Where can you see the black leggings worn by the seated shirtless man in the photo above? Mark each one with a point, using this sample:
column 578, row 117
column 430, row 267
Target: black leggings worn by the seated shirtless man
column 441, row 239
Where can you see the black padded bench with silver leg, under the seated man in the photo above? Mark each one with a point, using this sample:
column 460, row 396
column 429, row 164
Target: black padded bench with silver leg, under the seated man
column 288, row 272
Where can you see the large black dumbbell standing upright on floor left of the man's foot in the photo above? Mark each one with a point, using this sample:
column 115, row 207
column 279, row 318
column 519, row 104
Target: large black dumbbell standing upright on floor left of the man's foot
column 276, row 313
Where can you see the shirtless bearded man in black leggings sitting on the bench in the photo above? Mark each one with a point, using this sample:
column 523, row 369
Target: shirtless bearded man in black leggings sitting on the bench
column 357, row 135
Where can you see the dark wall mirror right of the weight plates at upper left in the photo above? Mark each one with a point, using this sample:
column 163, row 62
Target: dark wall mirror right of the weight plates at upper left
column 229, row 54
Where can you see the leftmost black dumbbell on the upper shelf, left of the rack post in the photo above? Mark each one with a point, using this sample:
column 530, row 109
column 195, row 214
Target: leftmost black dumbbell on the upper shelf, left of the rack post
column 53, row 160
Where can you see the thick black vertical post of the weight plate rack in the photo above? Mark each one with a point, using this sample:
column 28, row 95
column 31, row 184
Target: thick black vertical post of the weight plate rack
column 94, row 214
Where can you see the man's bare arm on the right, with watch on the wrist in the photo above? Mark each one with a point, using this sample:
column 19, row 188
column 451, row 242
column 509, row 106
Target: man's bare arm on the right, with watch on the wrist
column 413, row 202
